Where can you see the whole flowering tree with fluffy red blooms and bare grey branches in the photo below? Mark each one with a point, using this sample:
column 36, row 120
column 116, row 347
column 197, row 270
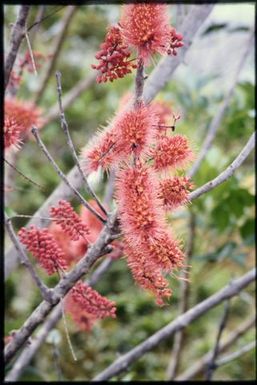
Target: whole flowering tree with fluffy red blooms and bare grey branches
column 146, row 163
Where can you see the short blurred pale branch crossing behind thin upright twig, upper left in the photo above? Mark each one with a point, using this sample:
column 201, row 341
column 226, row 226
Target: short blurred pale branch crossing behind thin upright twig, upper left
column 70, row 97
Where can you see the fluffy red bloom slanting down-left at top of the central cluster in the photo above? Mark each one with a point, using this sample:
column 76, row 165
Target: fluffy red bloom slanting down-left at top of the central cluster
column 131, row 131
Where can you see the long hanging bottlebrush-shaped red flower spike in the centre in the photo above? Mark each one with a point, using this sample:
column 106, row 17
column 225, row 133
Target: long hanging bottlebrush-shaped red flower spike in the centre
column 149, row 245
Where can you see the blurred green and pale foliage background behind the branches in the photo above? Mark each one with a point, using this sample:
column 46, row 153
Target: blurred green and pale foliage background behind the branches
column 224, row 239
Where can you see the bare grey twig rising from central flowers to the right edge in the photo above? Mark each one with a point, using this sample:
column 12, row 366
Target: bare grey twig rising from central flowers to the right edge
column 228, row 172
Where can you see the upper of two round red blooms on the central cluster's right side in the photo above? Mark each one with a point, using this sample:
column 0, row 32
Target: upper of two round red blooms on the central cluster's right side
column 171, row 151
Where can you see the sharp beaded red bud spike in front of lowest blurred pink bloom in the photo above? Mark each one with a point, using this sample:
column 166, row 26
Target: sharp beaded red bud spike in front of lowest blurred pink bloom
column 91, row 301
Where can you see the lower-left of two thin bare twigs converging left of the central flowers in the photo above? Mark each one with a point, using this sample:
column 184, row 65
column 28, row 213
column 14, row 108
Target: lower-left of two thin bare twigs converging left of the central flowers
column 62, row 175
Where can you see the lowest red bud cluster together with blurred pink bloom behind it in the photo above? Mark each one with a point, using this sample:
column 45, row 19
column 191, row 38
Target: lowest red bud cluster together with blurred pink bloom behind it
column 86, row 305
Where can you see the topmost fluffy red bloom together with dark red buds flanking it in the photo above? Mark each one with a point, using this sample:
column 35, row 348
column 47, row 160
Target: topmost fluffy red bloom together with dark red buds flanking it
column 144, row 27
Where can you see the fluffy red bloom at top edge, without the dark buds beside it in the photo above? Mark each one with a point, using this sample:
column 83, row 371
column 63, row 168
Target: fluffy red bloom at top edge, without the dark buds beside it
column 146, row 28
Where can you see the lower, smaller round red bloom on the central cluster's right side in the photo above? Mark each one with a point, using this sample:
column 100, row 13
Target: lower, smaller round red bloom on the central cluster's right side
column 174, row 191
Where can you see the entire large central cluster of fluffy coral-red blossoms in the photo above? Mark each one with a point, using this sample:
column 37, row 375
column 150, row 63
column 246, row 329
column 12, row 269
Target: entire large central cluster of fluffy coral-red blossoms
column 143, row 150
